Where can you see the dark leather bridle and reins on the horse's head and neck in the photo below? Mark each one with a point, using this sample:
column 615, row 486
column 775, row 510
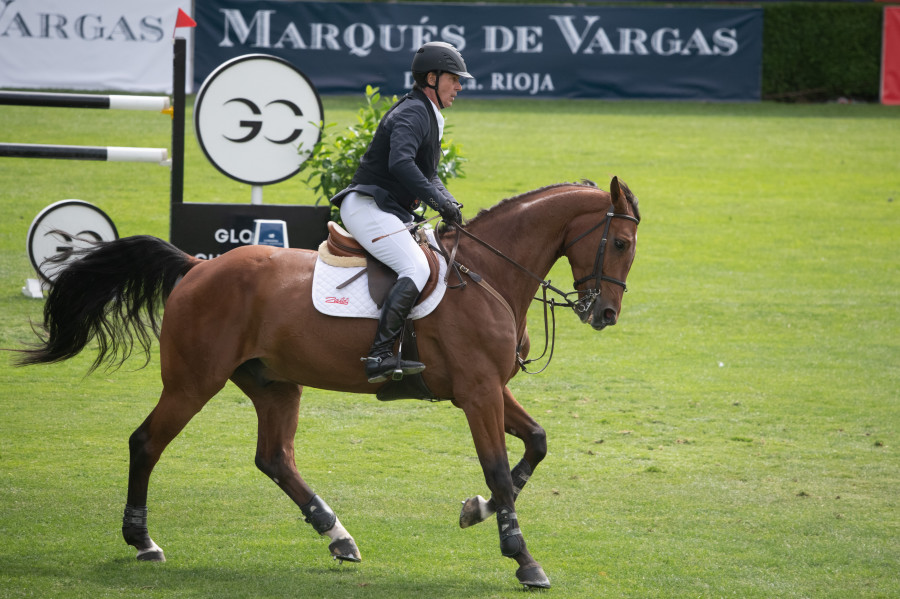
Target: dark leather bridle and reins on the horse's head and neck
column 581, row 306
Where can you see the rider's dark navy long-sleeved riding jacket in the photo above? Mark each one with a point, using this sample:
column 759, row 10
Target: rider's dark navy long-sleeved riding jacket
column 399, row 168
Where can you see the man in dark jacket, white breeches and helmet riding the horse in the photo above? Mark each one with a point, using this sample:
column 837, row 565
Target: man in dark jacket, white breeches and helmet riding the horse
column 397, row 172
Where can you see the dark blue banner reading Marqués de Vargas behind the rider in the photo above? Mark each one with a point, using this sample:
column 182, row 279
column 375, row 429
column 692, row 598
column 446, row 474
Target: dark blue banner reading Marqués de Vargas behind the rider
column 513, row 51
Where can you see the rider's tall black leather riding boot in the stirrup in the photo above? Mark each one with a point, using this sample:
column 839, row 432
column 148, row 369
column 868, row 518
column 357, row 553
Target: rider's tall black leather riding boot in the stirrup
column 381, row 363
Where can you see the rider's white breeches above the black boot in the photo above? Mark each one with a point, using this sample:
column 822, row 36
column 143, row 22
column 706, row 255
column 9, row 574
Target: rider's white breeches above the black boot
column 366, row 221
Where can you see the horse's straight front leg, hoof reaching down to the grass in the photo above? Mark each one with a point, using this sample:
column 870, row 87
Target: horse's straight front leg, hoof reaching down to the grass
column 486, row 422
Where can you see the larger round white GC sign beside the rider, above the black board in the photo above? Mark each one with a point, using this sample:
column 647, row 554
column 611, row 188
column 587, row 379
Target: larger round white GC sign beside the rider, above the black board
column 251, row 116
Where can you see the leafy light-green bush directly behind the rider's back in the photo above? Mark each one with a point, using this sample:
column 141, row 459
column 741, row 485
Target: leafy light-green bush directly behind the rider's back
column 333, row 161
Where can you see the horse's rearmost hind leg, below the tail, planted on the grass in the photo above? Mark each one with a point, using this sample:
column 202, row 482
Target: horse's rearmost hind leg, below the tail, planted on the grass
column 146, row 445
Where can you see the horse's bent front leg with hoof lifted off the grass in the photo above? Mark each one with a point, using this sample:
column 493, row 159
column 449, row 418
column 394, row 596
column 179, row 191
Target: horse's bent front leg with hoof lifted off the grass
column 517, row 423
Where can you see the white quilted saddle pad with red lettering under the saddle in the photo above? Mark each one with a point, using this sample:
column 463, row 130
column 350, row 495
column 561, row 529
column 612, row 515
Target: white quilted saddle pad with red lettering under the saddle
column 354, row 301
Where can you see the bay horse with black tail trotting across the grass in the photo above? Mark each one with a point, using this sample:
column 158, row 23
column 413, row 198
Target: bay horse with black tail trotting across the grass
column 248, row 316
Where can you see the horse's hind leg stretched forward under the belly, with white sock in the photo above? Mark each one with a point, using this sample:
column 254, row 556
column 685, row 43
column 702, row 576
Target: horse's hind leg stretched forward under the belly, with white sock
column 277, row 406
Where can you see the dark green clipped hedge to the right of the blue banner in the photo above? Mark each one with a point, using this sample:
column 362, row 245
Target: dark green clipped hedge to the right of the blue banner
column 818, row 51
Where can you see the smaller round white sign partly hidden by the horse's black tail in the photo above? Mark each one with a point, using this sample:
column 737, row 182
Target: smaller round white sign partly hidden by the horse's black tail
column 61, row 228
